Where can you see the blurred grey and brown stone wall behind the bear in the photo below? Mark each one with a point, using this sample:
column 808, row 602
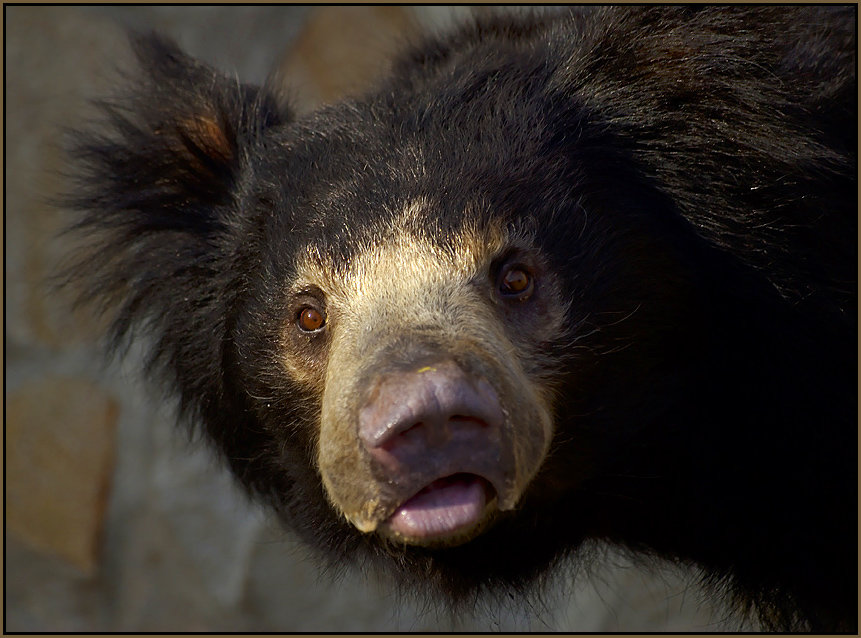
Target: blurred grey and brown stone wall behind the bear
column 114, row 521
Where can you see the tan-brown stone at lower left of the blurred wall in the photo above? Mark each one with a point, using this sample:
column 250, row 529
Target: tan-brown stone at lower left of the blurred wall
column 60, row 436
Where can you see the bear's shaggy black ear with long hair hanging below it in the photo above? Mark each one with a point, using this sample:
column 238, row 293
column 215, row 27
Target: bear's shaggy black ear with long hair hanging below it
column 155, row 190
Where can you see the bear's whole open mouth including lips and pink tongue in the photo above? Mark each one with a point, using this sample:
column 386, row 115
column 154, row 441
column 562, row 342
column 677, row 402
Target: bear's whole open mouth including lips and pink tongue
column 448, row 511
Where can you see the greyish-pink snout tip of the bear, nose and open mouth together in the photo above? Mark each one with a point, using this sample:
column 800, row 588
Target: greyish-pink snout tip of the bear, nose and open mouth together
column 435, row 435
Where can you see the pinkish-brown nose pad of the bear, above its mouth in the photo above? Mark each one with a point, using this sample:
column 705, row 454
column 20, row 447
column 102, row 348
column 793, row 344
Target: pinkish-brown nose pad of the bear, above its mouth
column 415, row 410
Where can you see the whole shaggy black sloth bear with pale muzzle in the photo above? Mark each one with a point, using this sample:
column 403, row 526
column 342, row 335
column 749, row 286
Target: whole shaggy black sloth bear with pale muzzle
column 558, row 278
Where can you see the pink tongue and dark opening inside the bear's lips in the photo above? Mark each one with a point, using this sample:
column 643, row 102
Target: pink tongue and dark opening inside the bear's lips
column 440, row 509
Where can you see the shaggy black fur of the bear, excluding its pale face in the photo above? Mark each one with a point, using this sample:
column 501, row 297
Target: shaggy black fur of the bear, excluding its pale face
column 690, row 173
